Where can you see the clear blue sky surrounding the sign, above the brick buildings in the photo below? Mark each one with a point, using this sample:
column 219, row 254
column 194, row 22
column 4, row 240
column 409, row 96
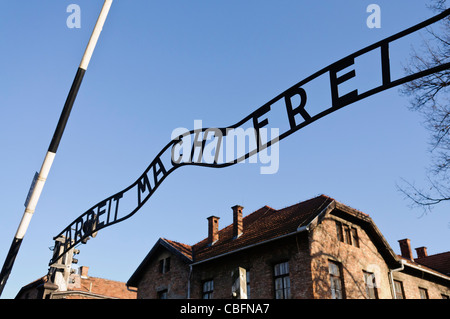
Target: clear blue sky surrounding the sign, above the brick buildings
column 160, row 65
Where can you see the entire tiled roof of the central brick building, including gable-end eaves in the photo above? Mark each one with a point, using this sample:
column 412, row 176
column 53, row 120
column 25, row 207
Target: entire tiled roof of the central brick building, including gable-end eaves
column 260, row 226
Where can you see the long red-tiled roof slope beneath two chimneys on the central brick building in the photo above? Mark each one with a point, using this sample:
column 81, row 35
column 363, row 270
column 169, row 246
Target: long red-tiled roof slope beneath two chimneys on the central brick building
column 263, row 224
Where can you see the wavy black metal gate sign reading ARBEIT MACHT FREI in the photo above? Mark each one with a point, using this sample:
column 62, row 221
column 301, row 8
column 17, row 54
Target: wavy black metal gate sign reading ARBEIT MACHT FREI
column 292, row 105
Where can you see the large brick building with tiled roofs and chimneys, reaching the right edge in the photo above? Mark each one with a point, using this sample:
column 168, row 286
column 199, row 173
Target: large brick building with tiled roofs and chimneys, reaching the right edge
column 316, row 249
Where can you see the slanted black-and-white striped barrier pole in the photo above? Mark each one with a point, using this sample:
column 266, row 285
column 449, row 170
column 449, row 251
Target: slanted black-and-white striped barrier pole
column 36, row 191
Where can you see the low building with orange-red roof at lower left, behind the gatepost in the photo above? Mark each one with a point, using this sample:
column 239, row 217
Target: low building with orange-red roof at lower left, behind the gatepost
column 80, row 286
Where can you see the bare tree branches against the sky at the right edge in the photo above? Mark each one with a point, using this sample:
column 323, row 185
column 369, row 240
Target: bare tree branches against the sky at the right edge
column 430, row 96
